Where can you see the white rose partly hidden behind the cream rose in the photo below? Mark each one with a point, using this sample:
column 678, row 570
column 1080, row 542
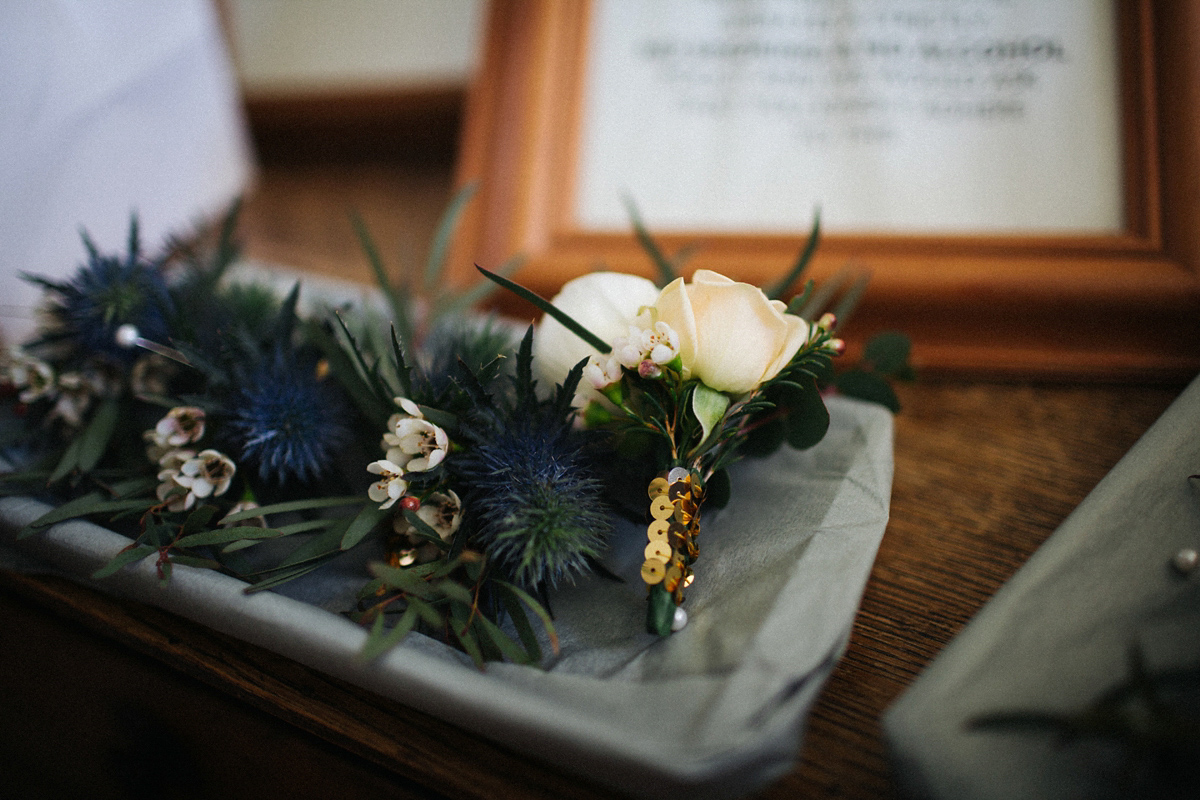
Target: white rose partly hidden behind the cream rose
column 605, row 304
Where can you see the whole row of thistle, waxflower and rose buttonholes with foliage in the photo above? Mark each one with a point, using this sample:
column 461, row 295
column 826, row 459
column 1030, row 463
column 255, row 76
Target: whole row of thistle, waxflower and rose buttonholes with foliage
column 221, row 429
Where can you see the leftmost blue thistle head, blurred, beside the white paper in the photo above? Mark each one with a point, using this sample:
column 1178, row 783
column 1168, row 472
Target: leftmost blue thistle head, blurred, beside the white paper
column 107, row 293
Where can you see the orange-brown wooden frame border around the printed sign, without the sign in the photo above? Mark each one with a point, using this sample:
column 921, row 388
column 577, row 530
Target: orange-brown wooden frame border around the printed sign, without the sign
column 1111, row 308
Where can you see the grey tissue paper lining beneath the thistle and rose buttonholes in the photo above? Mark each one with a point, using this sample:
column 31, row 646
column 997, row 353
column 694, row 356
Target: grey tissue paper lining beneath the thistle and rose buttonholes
column 713, row 712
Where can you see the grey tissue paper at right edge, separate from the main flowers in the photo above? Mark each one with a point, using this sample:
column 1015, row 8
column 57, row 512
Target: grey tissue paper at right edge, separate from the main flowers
column 1059, row 635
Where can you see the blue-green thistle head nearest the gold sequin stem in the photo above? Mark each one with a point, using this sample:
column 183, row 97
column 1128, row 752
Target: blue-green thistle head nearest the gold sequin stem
column 539, row 509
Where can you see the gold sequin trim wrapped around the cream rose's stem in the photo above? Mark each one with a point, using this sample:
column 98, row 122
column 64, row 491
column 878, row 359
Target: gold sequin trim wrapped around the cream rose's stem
column 671, row 548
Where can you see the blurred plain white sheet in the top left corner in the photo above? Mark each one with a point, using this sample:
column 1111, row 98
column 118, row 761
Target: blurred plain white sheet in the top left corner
column 109, row 107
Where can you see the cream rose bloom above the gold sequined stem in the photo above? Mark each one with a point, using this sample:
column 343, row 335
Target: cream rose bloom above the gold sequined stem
column 731, row 336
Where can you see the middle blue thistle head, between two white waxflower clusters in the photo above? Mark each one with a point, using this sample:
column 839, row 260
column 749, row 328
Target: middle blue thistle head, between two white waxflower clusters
column 287, row 423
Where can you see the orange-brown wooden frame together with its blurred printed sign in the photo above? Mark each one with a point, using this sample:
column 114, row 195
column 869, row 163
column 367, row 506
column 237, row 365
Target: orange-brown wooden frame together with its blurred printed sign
column 1022, row 179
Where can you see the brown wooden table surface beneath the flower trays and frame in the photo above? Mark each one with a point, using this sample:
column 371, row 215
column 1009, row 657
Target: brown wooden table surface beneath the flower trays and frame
column 101, row 697
